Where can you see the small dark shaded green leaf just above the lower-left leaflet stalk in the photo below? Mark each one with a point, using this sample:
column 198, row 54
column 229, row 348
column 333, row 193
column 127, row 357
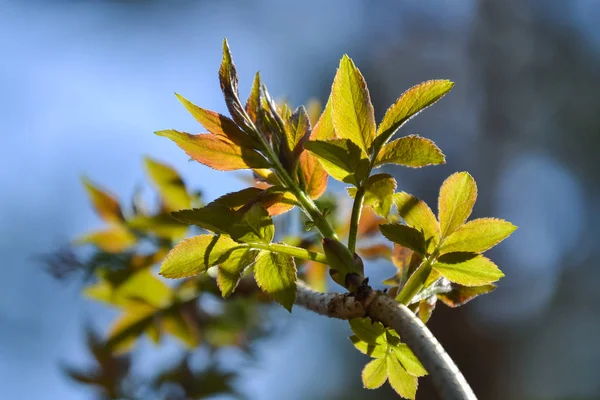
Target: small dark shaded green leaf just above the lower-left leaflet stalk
column 253, row 225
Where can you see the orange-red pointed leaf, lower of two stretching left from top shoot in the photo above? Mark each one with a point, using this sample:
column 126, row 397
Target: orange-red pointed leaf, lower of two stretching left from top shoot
column 213, row 152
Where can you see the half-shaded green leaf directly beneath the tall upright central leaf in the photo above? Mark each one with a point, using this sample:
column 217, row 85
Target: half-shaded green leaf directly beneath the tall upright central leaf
column 341, row 158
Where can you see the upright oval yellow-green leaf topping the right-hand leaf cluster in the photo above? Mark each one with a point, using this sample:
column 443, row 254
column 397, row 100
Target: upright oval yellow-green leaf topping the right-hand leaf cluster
column 457, row 197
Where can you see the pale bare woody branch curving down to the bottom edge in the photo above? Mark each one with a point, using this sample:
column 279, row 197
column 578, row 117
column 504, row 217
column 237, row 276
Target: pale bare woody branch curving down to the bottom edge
column 447, row 378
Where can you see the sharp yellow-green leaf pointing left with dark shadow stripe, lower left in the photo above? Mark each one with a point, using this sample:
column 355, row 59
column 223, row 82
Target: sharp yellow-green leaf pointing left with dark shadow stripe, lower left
column 195, row 255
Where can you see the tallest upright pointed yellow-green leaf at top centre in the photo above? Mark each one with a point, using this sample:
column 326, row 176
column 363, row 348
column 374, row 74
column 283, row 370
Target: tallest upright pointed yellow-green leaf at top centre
column 351, row 109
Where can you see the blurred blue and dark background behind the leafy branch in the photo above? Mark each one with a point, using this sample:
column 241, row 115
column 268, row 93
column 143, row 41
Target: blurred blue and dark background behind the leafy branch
column 85, row 83
